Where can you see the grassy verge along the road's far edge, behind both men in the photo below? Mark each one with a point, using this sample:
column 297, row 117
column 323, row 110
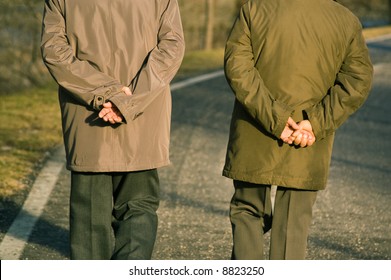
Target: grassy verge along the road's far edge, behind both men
column 30, row 122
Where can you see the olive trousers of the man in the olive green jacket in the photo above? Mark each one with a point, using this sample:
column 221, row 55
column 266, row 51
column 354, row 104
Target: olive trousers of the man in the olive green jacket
column 251, row 217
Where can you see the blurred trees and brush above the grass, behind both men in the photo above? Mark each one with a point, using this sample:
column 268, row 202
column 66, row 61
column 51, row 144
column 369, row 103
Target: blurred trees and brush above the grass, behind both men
column 206, row 24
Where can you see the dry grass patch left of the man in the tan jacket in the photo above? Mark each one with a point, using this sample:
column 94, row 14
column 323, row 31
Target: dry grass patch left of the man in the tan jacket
column 29, row 128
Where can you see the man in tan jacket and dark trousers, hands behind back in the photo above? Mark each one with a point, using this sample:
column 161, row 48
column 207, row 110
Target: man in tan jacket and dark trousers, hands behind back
column 113, row 61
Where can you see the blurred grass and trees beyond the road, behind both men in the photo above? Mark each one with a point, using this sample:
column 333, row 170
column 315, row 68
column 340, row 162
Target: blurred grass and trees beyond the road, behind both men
column 29, row 115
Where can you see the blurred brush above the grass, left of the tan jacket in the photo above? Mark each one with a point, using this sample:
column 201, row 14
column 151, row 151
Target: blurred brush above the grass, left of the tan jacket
column 20, row 63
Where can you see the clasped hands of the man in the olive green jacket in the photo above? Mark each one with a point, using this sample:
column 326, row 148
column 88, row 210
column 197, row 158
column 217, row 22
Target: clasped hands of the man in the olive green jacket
column 299, row 134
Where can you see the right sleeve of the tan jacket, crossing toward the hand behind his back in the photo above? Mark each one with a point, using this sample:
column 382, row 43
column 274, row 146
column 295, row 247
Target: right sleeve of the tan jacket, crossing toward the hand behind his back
column 160, row 67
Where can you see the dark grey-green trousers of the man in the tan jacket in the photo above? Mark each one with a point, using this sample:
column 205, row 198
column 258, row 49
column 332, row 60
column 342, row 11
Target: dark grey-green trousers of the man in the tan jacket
column 113, row 215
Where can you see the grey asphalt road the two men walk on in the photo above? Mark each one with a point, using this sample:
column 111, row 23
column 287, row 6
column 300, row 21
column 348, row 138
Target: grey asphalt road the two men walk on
column 352, row 217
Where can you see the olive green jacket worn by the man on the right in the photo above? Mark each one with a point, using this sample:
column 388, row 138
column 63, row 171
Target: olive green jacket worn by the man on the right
column 301, row 58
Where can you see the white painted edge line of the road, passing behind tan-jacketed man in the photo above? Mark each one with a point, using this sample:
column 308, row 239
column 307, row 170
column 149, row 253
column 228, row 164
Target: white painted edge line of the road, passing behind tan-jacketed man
column 13, row 243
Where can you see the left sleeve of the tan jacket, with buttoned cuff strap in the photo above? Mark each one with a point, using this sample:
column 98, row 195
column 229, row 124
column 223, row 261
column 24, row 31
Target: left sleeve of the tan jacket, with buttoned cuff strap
column 87, row 84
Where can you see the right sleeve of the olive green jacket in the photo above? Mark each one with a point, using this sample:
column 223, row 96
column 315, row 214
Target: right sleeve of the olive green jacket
column 349, row 92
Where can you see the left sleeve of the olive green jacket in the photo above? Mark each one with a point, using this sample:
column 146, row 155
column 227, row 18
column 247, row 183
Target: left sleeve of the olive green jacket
column 246, row 82
